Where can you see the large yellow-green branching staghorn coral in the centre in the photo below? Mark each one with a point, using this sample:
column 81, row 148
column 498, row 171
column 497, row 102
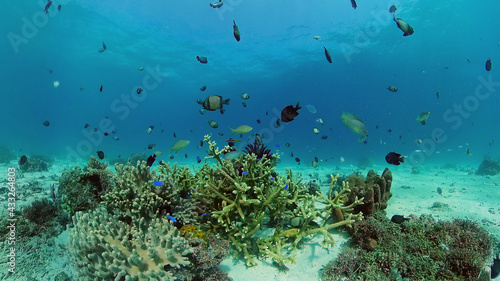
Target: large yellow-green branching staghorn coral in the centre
column 241, row 193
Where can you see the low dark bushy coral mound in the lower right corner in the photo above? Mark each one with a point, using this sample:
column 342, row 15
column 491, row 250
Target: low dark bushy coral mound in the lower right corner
column 419, row 249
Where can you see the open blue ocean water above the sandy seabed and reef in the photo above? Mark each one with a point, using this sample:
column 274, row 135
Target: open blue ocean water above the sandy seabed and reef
column 277, row 62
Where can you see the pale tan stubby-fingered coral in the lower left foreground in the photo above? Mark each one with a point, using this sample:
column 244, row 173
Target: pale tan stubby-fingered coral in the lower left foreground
column 107, row 248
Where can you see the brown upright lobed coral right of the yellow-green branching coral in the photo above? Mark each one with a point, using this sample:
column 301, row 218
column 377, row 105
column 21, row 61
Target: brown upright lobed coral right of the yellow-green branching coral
column 375, row 191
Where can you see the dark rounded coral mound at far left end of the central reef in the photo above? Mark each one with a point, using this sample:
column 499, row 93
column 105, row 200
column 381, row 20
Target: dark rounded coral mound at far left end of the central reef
column 81, row 190
